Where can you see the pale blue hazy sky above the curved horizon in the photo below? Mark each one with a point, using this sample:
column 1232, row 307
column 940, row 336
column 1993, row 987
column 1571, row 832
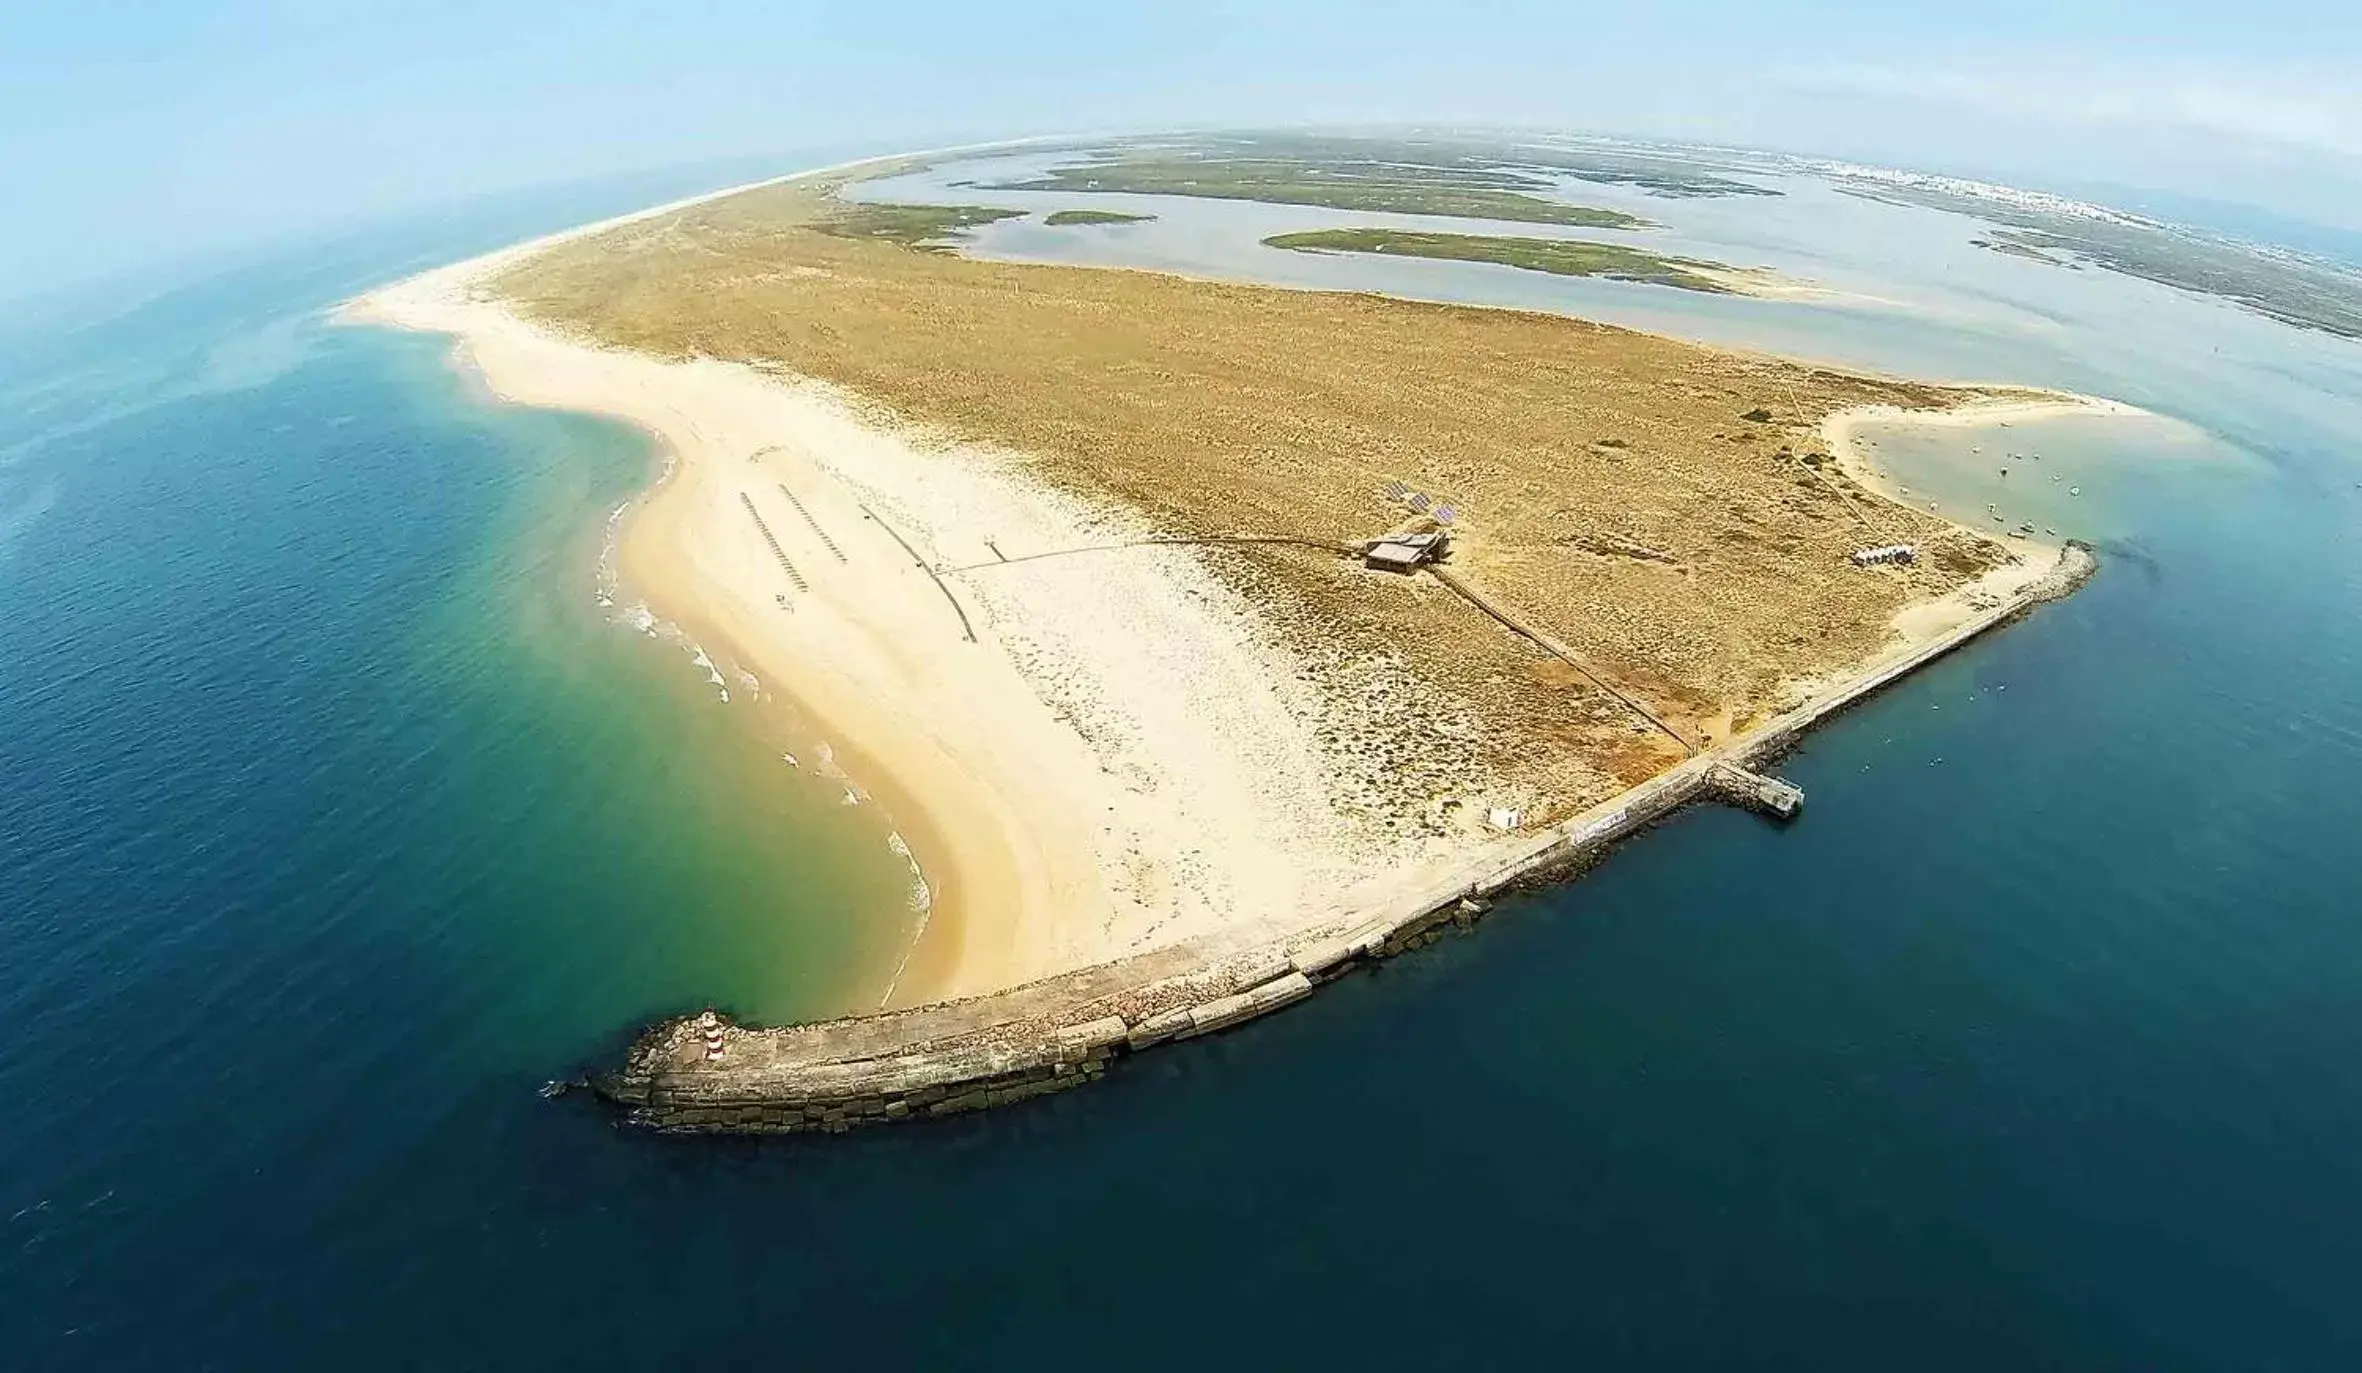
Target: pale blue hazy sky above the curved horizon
column 145, row 134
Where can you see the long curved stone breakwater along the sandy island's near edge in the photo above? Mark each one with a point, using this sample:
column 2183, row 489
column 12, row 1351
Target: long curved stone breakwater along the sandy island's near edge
column 710, row 1074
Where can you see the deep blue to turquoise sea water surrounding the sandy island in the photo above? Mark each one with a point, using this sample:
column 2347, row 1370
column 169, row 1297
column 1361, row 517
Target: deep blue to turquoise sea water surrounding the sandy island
column 339, row 816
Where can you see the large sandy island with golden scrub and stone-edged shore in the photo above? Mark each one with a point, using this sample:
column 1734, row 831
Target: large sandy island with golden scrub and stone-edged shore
column 1203, row 639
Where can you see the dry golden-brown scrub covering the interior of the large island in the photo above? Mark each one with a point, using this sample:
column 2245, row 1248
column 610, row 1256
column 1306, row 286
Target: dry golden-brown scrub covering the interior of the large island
column 1655, row 505
